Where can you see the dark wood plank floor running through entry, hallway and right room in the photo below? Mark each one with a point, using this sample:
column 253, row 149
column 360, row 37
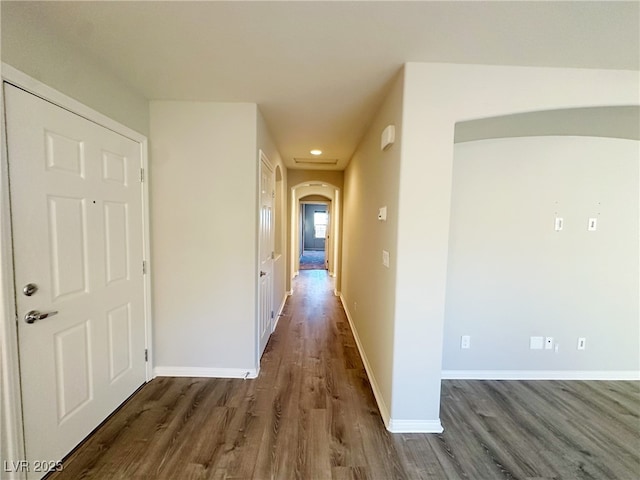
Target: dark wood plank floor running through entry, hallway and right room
column 311, row 415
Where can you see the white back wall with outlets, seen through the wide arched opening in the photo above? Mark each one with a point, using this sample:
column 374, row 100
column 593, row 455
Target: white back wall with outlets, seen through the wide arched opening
column 512, row 276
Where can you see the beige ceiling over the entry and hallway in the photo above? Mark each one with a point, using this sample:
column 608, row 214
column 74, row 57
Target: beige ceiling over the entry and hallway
column 319, row 70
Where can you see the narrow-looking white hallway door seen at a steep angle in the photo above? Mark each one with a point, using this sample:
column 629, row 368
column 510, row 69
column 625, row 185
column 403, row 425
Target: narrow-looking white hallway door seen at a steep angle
column 265, row 287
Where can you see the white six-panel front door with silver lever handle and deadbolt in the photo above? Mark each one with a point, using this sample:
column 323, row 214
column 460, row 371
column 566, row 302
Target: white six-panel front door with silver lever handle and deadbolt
column 77, row 219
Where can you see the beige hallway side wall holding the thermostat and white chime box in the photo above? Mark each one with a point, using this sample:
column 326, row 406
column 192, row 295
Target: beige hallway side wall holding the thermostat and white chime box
column 368, row 288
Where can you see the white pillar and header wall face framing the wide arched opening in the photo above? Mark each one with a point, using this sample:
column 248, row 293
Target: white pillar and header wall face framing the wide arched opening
column 436, row 96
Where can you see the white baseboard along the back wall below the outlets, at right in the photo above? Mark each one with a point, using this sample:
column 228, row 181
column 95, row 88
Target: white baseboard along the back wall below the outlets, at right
column 540, row 375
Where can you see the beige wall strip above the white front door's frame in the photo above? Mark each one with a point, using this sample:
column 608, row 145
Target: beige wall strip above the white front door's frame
column 27, row 46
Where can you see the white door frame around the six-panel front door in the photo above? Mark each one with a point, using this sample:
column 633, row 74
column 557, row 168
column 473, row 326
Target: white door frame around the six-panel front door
column 11, row 397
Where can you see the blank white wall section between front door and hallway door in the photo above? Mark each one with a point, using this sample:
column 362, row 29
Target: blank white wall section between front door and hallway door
column 203, row 222
